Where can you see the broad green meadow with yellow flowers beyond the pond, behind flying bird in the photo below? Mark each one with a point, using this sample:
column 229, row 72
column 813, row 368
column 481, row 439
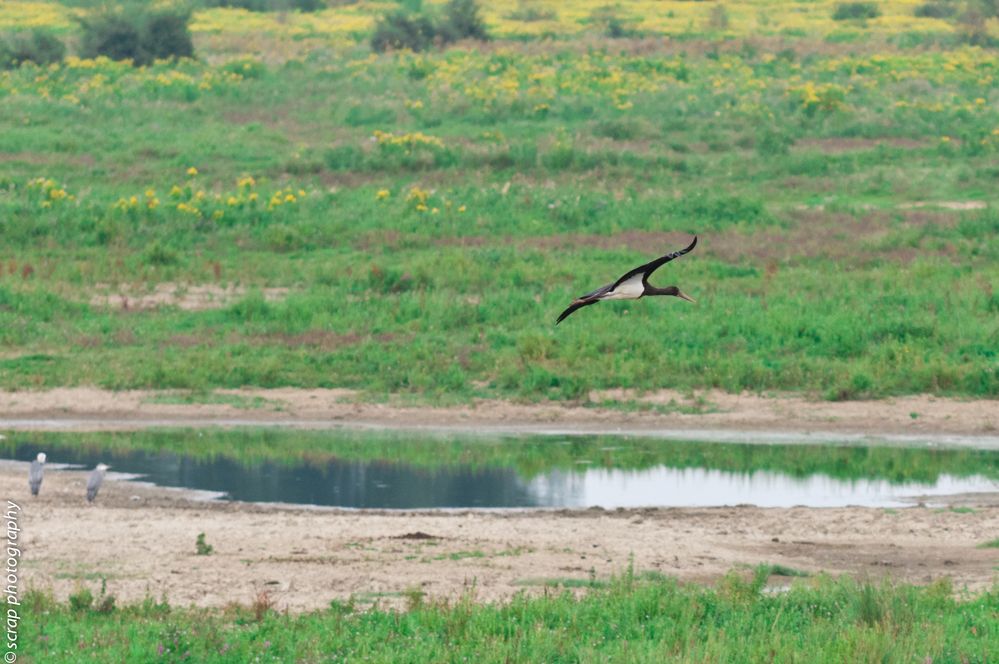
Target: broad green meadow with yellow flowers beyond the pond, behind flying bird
column 421, row 219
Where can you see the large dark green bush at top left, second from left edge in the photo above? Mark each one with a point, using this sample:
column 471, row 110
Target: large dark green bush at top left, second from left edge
column 139, row 33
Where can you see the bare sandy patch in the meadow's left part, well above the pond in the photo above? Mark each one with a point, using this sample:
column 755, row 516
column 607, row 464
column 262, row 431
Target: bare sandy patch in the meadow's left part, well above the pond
column 183, row 296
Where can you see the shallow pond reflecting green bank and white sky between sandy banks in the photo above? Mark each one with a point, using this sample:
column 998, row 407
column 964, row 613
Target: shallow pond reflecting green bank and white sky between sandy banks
column 522, row 473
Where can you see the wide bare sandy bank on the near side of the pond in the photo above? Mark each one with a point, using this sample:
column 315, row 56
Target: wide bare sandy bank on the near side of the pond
column 142, row 539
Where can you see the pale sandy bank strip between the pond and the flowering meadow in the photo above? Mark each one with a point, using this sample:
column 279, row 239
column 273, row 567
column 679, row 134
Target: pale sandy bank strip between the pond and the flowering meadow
column 905, row 417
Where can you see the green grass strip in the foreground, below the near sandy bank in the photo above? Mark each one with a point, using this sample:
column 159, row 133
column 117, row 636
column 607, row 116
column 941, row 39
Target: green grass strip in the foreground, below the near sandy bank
column 631, row 618
